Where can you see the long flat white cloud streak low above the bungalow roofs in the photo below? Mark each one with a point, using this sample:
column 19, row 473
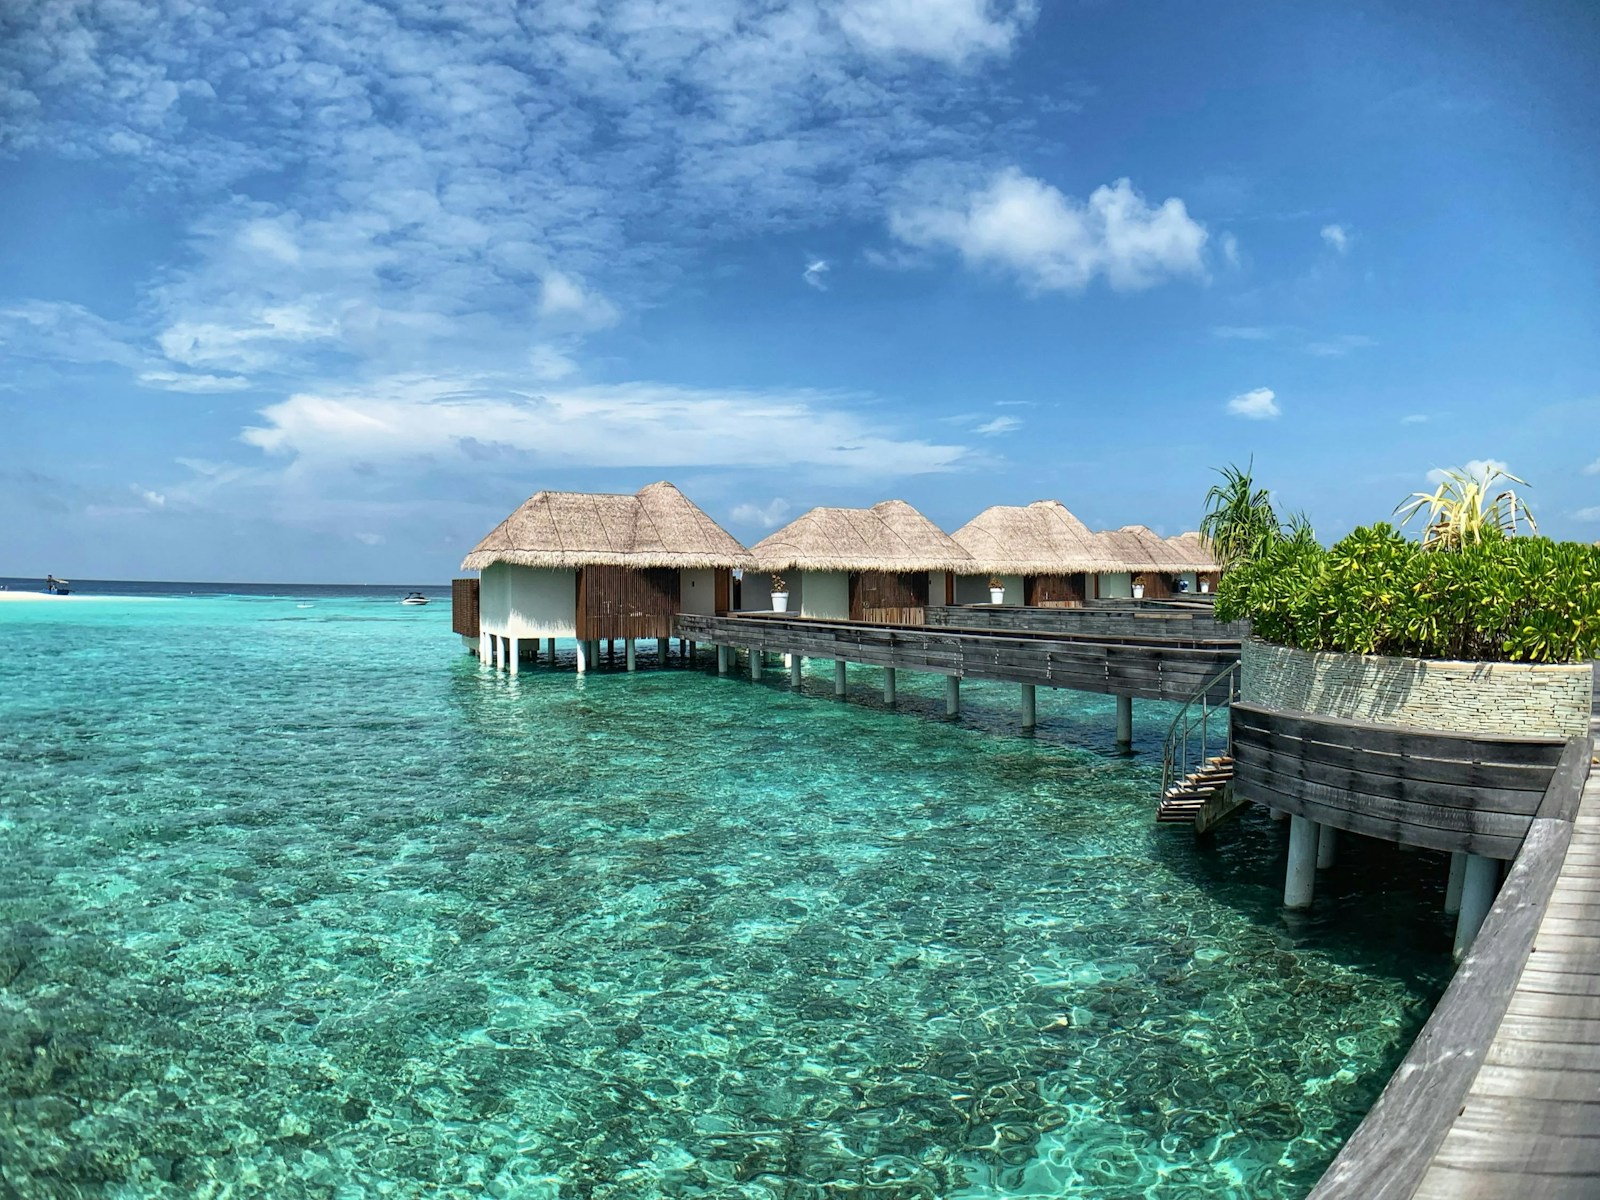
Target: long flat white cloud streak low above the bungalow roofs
column 641, row 425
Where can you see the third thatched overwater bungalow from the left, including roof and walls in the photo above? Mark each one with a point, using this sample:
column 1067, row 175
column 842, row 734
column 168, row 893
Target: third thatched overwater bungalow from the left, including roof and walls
column 1041, row 553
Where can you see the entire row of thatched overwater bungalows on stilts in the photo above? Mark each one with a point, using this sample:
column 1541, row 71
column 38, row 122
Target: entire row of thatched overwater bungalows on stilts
column 604, row 567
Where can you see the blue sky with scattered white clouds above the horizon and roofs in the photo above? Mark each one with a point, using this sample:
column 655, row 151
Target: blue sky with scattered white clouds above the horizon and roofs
column 321, row 290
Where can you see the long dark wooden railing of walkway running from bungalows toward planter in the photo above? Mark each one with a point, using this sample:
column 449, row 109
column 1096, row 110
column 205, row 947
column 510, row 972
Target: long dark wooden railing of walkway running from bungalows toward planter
column 1169, row 670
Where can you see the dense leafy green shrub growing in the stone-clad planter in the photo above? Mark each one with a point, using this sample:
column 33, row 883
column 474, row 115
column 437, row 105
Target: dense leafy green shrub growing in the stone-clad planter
column 1377, row 593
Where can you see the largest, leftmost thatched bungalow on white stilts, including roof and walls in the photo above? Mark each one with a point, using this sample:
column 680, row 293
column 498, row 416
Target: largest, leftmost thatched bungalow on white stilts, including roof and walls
column 591, row 567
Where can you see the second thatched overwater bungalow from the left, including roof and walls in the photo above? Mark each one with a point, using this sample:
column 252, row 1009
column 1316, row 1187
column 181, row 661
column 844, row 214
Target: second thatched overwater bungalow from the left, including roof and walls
column 881, row 564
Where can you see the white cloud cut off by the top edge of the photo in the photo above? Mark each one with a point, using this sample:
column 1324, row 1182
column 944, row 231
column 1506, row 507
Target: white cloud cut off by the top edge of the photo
column 951, row 31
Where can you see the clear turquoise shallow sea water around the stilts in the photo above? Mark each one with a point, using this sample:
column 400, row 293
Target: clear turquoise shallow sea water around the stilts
column 300, row 903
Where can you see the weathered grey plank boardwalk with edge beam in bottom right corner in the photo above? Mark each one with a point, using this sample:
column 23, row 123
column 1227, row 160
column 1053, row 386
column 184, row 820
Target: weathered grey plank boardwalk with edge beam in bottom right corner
column 1500, row 1095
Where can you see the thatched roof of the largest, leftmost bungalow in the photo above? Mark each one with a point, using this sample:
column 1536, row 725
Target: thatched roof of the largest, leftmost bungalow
column 658, row 527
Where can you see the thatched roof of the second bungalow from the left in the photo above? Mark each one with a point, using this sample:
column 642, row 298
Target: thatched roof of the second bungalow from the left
column 889, row 537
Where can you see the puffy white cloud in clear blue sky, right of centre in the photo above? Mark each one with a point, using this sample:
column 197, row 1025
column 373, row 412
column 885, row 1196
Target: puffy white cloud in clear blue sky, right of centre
column 1054, row 242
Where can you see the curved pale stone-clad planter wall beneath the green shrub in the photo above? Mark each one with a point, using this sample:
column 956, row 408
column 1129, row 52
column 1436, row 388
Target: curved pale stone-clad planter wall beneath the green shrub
column 1532, row 700
